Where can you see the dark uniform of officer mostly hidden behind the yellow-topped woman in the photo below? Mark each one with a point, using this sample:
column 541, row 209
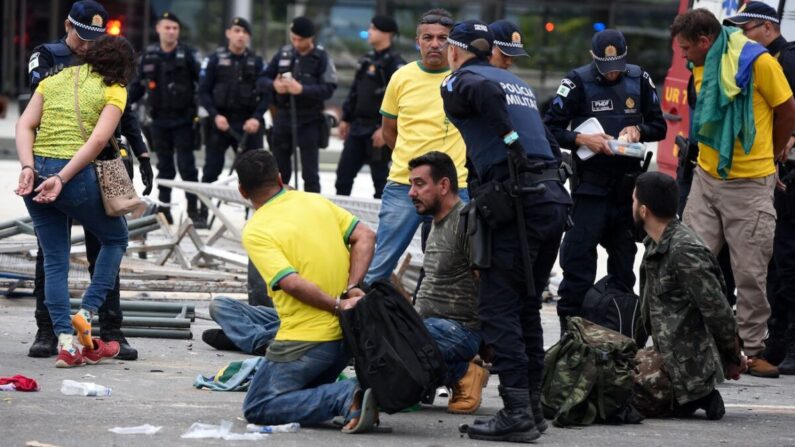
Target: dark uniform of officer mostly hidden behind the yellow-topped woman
column 48, row 59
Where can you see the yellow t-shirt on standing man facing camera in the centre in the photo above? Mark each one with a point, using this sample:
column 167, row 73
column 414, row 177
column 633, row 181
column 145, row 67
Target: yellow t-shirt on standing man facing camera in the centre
column 414, row 100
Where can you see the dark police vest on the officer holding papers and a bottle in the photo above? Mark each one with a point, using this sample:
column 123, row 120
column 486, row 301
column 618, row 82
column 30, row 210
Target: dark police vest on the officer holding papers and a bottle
column 615, row 106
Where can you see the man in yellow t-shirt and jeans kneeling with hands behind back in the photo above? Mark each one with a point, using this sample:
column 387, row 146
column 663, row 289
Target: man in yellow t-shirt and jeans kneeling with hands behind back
column 309, row 251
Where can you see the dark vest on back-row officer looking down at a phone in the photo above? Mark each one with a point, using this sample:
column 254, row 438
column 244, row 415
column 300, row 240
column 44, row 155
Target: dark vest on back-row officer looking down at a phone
column 308, row 70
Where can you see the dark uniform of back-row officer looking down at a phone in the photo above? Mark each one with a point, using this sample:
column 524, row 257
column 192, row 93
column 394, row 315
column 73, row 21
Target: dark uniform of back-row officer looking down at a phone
column 316, row 73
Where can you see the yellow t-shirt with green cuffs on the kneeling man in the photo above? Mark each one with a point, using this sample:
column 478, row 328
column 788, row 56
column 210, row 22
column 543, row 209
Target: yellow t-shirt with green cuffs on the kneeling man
column 304, row 233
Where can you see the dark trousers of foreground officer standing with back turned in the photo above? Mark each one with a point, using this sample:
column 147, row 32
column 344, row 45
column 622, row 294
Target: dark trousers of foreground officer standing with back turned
column 511, row 321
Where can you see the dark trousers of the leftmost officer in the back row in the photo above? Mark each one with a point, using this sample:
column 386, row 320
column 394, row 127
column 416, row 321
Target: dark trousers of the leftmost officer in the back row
column 168, row 141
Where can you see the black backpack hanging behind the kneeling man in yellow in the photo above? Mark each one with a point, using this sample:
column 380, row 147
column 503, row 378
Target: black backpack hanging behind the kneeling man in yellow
column 394, row 353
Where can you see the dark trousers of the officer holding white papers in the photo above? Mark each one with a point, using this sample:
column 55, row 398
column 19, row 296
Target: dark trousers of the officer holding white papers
column 598, row 220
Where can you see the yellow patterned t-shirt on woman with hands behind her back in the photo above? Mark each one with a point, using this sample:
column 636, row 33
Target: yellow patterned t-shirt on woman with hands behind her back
column 59, row 134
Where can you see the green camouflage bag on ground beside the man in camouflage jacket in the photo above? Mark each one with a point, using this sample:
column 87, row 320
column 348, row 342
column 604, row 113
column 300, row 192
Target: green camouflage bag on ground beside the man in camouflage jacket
column 588, row 376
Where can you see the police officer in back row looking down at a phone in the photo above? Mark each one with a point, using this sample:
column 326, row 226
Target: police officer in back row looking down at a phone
column 300, row 76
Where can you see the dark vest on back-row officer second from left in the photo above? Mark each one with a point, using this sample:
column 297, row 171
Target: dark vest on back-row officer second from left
column 235, row 82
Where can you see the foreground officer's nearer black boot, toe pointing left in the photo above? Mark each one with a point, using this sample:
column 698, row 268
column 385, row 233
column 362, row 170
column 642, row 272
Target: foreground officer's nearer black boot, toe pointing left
column 512, row 424
